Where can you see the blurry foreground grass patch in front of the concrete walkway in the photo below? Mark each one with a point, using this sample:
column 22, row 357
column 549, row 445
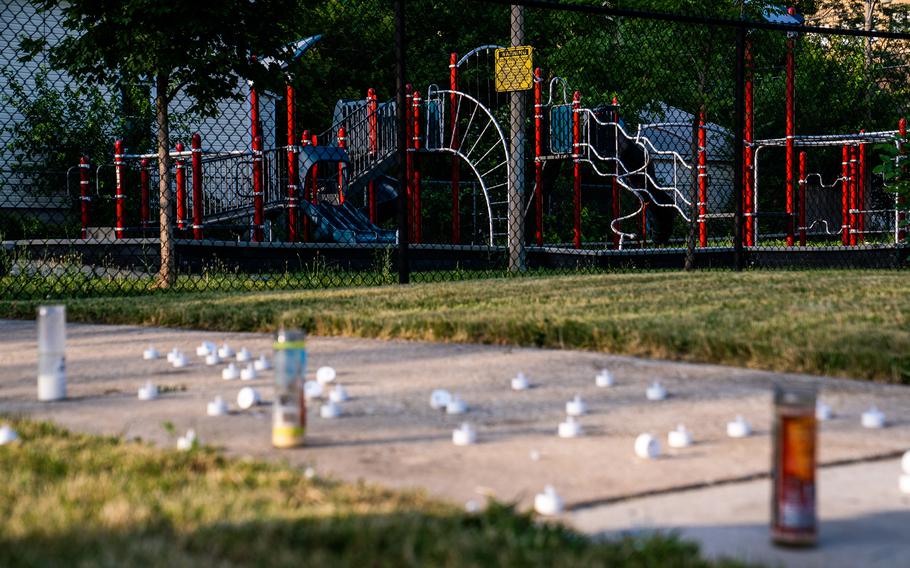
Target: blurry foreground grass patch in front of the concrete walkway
column 78, row 500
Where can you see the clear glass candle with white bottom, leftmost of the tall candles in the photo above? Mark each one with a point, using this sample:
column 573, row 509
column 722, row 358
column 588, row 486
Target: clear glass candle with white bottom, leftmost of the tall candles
column 51, row 353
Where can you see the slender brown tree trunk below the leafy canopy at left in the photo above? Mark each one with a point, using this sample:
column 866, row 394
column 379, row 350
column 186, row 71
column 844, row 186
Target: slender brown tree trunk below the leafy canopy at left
column 167, row 271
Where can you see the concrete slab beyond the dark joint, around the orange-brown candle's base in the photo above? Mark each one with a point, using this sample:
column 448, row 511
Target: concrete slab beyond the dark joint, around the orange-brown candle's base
column 864, row 520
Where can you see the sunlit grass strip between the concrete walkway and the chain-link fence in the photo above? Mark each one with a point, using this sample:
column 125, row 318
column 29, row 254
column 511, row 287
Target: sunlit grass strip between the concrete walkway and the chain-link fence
column 851, row 323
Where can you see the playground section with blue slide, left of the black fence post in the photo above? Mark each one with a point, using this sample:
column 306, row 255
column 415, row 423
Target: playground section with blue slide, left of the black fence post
column 236, row 190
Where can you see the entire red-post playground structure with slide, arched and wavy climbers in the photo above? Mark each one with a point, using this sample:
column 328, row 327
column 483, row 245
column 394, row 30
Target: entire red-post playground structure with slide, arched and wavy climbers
column 333, row 187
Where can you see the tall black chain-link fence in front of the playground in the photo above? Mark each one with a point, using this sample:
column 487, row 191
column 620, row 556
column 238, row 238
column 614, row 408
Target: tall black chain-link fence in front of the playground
column 472, row 140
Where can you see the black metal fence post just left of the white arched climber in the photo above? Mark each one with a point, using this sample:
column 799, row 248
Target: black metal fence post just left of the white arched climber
column 404, row 268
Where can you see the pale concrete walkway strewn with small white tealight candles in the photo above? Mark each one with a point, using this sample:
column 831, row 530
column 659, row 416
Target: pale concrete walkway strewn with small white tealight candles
column 389, row 434
